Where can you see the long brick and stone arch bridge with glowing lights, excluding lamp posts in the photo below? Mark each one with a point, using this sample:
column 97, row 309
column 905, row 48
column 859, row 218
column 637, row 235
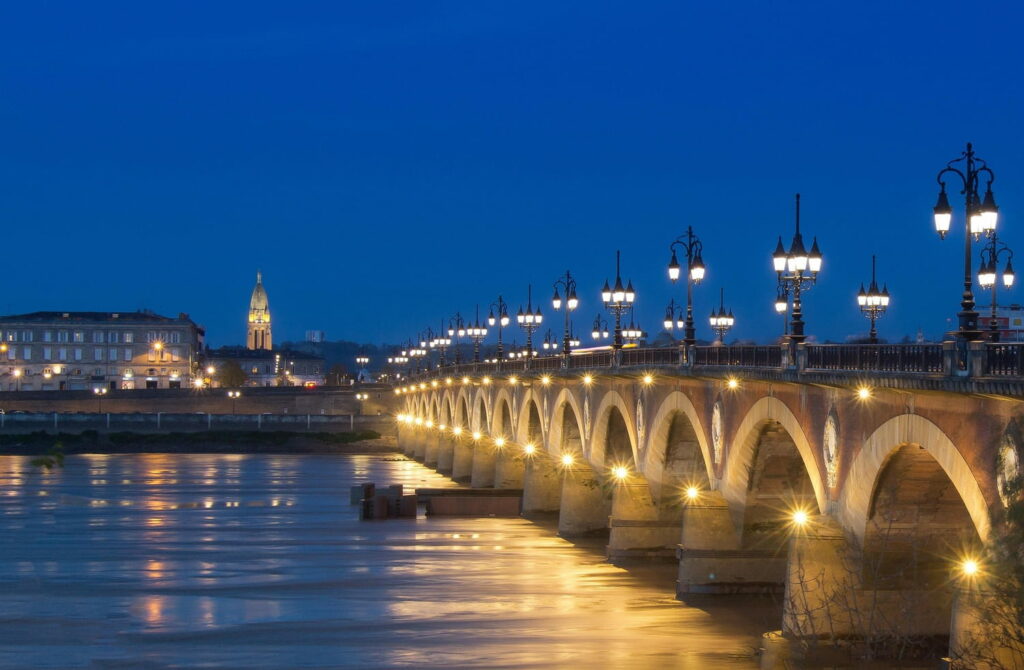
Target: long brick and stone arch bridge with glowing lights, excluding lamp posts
column 894, row 458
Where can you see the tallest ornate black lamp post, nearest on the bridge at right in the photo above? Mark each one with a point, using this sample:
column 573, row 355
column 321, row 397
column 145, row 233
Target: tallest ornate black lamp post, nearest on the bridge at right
column 980, row 219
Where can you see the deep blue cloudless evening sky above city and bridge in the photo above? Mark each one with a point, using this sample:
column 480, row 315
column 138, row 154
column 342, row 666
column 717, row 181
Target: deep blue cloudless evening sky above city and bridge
column 387, row 164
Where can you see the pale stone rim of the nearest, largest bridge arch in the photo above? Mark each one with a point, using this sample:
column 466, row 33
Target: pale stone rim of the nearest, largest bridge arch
column 861, row 486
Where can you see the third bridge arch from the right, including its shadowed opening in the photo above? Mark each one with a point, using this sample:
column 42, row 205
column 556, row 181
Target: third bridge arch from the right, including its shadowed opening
column 677, row 451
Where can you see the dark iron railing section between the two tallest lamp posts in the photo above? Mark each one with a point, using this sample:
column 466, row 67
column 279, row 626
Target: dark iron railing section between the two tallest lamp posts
column 876, row 358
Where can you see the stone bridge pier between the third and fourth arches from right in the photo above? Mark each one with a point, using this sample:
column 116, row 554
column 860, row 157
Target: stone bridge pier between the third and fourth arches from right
column 639, row 528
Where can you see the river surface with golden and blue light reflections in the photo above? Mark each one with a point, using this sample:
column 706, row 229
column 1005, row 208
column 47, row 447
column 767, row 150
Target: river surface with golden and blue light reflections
column 260, row 562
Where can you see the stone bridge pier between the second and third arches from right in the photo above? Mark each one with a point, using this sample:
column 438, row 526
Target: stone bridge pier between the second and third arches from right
column 711, row 558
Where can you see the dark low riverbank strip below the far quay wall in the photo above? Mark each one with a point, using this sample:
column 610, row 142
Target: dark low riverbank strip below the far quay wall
column 220, row 442
